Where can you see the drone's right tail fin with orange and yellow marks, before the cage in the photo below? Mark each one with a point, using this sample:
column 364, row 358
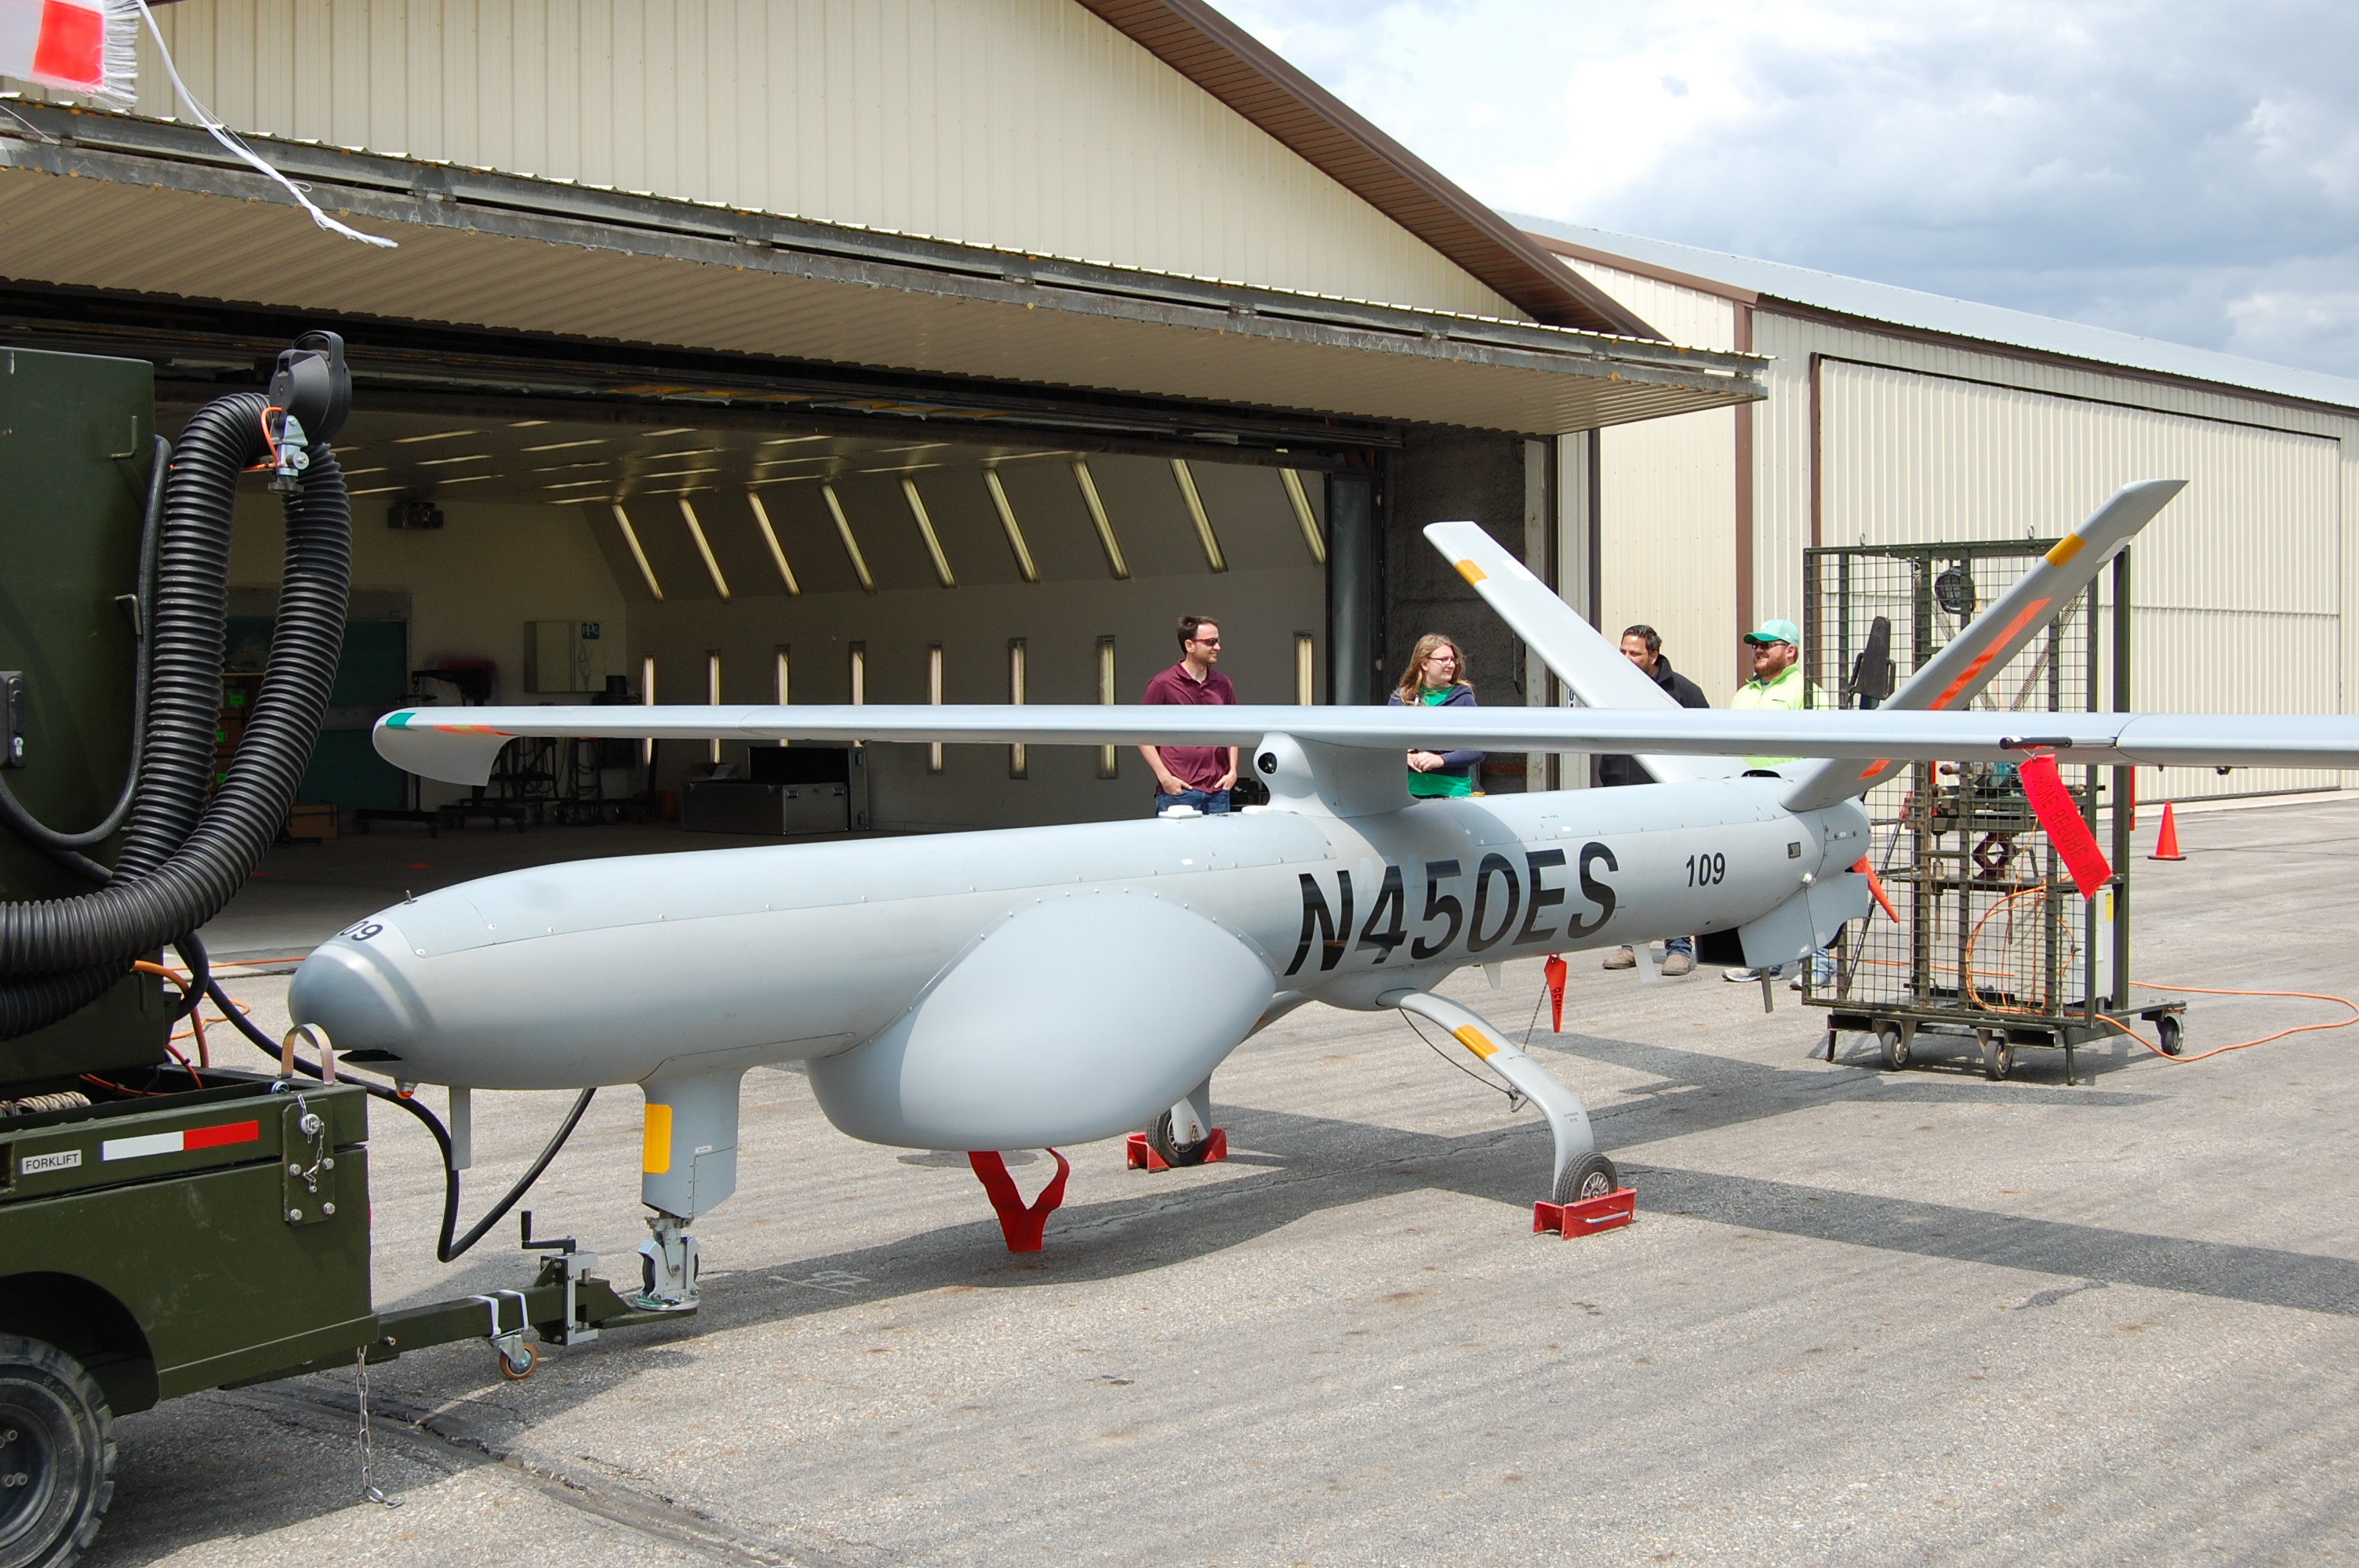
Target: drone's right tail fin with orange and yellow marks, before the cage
column 1997, row 635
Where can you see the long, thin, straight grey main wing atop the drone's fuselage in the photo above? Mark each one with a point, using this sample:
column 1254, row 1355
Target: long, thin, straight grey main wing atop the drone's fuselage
column 461, row 744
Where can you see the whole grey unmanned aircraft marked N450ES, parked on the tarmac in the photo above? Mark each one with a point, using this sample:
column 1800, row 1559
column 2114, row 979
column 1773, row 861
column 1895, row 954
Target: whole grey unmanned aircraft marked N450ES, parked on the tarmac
column 1049, row 987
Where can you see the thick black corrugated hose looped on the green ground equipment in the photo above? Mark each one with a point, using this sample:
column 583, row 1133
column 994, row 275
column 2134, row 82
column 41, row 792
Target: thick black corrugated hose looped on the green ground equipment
column 180, row 857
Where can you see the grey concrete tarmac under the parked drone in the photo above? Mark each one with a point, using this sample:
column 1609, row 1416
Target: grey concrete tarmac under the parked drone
column 1865, row 1317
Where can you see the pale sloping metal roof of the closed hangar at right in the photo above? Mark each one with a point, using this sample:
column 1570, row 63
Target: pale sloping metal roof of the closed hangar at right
column 1905, row 308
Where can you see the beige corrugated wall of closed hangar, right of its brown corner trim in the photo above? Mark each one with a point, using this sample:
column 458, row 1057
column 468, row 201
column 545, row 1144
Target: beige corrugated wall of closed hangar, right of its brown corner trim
column 2242, row 588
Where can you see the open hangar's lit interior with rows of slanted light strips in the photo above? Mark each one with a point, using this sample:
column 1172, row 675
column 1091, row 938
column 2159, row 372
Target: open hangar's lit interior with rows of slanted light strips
column 732, row 543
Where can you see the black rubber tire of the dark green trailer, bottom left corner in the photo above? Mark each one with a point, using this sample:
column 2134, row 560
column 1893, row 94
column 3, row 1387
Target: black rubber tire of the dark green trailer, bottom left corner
column 58, row 1456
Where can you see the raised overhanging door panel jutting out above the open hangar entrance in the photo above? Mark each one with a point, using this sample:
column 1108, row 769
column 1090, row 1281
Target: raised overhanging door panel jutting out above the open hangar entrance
column 150, row 209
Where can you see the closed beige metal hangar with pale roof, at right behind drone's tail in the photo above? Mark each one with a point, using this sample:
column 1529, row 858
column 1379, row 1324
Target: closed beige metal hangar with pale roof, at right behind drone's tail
column 1898, row 416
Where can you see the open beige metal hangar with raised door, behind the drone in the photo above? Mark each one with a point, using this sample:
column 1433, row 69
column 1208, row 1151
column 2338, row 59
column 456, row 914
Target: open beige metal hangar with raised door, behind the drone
column 820, row 350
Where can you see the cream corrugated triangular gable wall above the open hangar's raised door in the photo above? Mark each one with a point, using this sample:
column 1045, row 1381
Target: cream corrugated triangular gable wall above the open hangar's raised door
column 1023, row 124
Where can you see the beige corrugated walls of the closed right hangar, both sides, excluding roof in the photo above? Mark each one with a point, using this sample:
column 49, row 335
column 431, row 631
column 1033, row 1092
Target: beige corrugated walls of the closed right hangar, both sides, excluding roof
column 2242, row 591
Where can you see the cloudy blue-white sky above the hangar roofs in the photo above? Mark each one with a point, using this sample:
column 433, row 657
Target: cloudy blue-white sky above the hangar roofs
column 2174, row 169
